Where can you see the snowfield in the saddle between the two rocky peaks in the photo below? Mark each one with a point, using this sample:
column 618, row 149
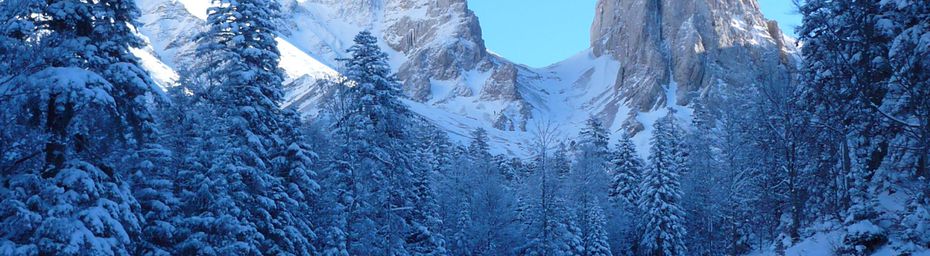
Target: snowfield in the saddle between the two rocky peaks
column 565, row 94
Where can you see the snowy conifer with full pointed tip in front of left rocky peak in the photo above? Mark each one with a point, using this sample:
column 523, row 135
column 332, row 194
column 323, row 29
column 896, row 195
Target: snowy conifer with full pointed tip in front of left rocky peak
column 379, row 132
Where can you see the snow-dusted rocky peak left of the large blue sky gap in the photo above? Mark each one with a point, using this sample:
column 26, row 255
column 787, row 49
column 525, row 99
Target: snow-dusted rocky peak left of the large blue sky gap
column 432, row 42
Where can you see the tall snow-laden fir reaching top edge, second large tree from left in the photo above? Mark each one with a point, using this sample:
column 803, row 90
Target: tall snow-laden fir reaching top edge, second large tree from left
column 240, row 204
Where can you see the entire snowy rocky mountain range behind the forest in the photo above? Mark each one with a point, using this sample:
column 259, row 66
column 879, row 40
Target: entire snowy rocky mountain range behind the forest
column 450, row 77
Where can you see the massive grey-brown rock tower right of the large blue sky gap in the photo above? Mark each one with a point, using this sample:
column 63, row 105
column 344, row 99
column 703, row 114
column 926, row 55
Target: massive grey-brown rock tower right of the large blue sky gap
column 694, row 44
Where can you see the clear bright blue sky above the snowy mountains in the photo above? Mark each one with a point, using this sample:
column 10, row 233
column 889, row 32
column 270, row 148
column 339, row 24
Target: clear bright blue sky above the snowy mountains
column 541, row 32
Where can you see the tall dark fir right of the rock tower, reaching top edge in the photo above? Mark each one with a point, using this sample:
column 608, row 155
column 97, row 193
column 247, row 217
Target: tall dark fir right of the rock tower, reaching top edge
column 846, row 88
